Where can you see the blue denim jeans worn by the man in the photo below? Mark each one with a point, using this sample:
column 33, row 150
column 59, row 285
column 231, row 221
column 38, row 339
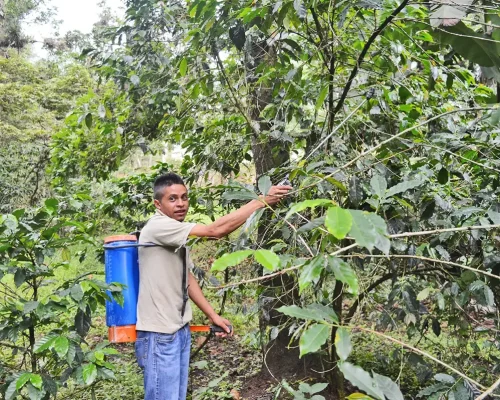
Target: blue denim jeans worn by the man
column 164, row 359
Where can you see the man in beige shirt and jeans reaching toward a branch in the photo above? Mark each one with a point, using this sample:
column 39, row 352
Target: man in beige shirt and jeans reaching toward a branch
column 163, row 312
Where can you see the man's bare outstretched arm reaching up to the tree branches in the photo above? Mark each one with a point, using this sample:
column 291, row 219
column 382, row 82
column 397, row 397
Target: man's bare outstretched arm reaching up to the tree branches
column 232, row 221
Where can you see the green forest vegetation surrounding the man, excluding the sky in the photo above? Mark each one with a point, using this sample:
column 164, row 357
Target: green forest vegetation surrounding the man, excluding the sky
column 376, row 279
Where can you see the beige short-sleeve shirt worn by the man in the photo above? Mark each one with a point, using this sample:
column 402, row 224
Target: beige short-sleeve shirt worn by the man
column 160, row 275
